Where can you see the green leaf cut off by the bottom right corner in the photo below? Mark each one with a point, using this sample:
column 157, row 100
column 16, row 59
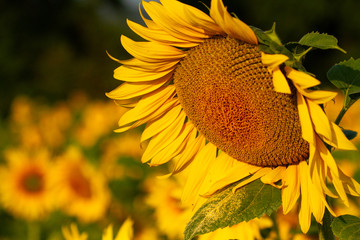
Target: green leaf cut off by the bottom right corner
column 346, row 227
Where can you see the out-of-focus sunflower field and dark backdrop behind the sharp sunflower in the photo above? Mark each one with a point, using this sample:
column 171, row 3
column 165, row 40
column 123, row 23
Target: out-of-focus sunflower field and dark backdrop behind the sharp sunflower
column 54, row 72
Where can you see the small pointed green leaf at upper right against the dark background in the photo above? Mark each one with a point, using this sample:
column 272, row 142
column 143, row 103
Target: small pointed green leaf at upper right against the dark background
column 321, row 41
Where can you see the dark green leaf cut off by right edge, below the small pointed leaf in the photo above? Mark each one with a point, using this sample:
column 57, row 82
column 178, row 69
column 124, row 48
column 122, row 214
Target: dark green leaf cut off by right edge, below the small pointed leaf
column 346, row 77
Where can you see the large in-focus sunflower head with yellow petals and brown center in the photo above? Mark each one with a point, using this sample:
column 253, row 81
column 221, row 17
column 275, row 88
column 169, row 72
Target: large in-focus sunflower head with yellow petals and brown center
column 226, row 111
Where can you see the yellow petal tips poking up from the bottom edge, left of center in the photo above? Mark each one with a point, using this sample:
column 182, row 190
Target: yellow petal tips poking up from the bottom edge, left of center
column 125, row 232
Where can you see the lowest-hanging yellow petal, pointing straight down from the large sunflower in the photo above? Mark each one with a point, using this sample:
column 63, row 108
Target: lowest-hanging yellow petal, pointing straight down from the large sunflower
column 305, row 211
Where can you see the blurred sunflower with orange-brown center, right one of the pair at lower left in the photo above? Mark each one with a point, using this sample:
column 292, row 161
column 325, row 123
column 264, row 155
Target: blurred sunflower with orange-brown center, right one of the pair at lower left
column 81, row 190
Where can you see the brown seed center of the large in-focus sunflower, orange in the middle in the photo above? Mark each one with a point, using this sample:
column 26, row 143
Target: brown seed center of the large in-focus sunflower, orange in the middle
column 227, row 93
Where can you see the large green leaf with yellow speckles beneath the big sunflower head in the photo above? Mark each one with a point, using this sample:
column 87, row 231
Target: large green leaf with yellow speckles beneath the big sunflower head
column 227, row 208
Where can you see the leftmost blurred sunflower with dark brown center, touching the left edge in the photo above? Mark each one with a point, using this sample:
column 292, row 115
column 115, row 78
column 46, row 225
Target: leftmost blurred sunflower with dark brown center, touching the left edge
column 26, row 184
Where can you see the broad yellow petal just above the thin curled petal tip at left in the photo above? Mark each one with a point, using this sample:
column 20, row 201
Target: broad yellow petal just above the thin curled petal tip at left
column 151, row 51
